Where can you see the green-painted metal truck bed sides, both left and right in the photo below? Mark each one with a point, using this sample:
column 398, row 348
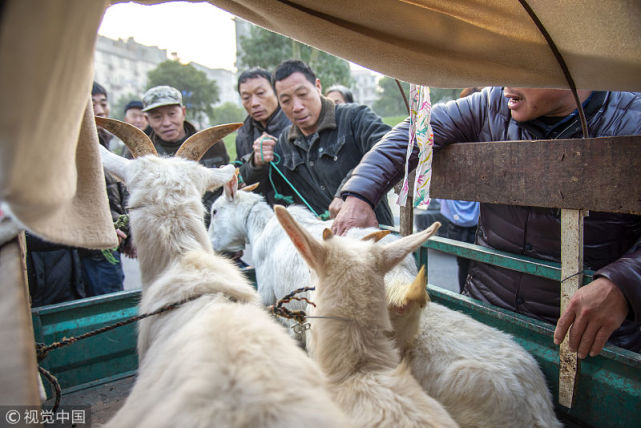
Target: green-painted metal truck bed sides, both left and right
column 609, row 392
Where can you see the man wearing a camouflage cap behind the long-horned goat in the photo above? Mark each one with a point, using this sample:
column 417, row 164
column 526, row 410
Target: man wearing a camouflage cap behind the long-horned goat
column 168, row 129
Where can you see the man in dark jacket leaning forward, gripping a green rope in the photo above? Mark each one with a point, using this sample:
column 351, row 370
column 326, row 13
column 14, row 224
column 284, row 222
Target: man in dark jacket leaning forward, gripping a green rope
column 325, row 141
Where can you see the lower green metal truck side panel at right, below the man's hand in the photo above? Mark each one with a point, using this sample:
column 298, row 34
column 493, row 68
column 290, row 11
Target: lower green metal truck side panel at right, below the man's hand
column 609, row 386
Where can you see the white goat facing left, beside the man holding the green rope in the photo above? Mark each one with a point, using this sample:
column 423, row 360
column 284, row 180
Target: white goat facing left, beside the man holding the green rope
column 243, row 217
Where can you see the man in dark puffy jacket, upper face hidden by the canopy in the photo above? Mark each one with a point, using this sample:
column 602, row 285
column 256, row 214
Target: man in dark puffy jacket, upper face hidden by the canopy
column 609, row 308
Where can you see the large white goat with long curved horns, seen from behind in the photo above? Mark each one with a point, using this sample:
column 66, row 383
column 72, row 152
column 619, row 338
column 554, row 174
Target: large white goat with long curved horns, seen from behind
column 218, row 359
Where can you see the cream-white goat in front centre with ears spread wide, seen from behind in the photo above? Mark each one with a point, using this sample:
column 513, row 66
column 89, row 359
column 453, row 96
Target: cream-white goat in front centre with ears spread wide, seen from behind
column 351, row 328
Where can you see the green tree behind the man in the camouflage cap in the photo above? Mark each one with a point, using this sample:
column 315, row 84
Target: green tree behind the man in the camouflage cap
column 199, row 93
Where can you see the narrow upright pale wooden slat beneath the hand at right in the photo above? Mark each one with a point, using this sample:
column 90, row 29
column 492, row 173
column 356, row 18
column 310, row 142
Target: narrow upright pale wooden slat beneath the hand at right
column 571, row 268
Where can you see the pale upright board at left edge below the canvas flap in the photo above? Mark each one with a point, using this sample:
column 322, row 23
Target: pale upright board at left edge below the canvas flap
column 18, row 371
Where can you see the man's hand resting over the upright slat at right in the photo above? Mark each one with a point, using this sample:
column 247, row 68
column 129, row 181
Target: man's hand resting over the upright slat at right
column 594, row 312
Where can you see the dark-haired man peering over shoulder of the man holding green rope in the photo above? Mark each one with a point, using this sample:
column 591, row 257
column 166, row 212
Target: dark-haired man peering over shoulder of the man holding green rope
column 265, row 120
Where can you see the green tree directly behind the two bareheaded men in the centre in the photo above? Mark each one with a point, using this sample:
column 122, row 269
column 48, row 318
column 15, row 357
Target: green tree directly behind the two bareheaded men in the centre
column 266, row 49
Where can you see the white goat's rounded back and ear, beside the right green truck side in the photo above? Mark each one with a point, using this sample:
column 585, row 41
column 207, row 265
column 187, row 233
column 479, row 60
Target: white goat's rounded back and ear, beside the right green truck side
column 480, row 375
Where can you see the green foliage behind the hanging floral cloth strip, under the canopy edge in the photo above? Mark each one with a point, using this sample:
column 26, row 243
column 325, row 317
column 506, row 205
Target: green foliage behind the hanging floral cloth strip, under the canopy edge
column 390, row 102
